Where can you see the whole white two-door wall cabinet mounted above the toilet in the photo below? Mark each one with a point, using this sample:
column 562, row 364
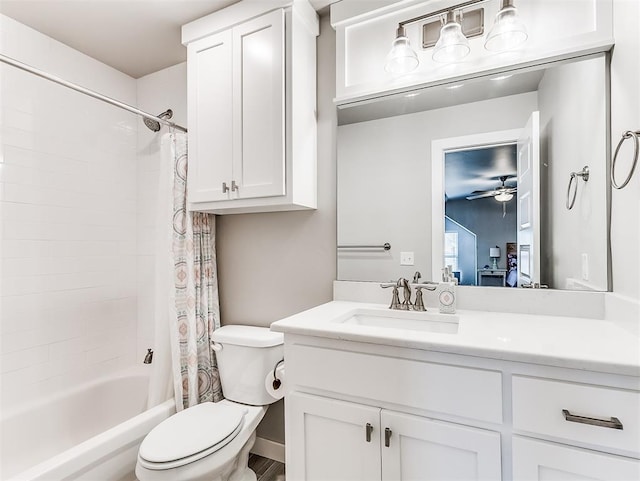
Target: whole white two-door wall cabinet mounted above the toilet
column 251, row 108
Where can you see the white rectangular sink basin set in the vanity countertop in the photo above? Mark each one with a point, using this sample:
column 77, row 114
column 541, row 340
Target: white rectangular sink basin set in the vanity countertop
column 411, row 320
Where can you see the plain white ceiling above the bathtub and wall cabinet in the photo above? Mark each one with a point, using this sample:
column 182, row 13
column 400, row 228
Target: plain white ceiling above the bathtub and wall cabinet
column 137, row 37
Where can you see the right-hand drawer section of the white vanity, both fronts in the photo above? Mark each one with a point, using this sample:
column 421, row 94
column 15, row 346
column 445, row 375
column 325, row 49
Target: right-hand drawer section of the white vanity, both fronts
column 561, row 414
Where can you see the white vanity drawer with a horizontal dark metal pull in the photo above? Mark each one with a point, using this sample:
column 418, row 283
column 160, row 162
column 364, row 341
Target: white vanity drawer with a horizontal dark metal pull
column 571, row 411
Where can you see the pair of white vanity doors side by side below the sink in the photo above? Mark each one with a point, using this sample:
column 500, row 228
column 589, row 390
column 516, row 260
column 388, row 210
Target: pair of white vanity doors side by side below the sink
column 337, row 440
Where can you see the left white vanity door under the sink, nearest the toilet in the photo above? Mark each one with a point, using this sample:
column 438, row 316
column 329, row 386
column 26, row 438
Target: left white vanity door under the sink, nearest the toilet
column 328, row 440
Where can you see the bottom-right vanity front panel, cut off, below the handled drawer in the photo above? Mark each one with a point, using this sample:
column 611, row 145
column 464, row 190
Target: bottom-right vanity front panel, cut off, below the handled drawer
column 544, row 461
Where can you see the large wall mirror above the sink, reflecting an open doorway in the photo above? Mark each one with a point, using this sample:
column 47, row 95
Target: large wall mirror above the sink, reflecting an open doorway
column 476, row 174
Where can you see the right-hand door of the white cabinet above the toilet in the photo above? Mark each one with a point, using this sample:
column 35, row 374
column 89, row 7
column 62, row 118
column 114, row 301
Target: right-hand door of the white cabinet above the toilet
column 258, row 96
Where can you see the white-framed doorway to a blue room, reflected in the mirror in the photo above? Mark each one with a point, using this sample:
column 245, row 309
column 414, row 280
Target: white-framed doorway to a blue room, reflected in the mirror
column 464, row 156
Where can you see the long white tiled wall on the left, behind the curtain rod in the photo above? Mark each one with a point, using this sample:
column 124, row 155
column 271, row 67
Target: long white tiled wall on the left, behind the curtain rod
column 68, row 240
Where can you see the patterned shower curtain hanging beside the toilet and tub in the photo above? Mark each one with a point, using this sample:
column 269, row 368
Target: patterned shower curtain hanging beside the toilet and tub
column 186, row 276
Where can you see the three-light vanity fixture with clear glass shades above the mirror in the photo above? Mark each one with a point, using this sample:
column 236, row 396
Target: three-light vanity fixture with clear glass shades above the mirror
column 452, row 45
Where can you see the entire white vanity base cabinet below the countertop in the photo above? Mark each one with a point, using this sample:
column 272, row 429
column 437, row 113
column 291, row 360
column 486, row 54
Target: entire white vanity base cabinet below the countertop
column 367, row 411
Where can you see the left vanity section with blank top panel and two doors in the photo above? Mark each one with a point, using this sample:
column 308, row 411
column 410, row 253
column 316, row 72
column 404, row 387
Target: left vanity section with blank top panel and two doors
column 414, row 418
